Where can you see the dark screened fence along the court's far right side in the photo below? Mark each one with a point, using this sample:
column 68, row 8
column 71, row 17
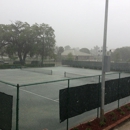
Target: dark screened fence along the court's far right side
column 125, row 67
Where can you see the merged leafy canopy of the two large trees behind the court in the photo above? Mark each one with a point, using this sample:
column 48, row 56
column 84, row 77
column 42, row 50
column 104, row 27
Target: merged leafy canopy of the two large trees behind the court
column 22, row 39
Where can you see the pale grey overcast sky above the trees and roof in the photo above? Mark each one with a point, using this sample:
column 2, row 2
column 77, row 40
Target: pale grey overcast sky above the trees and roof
column 78, row 23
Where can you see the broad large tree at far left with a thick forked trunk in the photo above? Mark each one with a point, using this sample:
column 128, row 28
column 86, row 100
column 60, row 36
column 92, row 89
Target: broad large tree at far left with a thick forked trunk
column 17, row 38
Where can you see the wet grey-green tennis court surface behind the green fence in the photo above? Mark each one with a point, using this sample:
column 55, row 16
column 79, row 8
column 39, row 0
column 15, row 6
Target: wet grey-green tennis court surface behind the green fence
column 39, row 103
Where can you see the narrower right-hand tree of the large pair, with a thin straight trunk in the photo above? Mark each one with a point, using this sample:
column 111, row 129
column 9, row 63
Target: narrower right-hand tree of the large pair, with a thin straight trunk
column 44, row 39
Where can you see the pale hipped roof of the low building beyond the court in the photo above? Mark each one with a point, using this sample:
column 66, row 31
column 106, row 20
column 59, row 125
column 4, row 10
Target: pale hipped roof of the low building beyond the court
column 74, row 53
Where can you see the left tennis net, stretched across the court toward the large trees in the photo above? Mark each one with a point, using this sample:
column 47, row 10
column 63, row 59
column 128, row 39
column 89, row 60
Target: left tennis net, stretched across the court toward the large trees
column 38, row 70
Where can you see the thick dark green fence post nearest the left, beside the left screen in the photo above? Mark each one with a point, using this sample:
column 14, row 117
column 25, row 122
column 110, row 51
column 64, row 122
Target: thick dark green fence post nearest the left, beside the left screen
column 17, row 108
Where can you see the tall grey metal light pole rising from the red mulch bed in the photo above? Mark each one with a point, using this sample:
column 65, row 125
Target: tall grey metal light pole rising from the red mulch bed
column 103, row 64
